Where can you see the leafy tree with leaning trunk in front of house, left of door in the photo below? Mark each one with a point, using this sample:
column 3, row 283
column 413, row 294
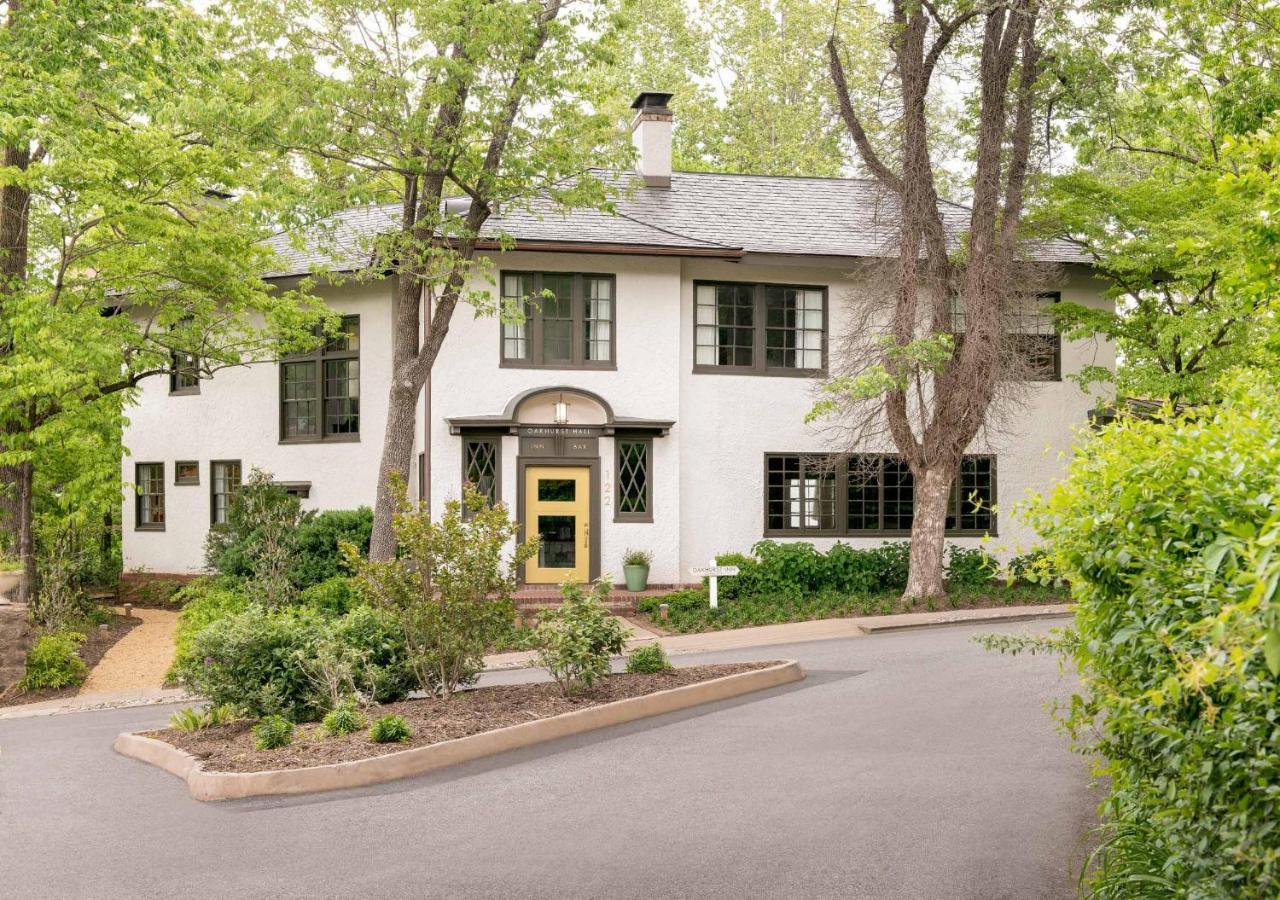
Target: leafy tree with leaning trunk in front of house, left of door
column 409, row 102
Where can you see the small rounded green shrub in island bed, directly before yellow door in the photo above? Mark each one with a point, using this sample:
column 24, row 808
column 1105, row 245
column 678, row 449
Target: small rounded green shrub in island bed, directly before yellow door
column 577, row 639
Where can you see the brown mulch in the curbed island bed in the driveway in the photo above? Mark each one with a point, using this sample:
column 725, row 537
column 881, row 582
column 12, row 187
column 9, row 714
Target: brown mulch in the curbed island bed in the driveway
column 432, row 720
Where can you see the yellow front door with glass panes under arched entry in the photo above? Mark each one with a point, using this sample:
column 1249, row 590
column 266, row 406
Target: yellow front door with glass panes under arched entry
column 559, row 509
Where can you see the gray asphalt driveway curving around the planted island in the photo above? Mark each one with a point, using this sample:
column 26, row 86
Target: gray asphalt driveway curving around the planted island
column 909, row 765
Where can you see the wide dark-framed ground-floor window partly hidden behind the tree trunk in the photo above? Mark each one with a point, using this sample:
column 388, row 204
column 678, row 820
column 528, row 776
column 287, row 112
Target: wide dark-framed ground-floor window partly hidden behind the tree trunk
column 867, row 495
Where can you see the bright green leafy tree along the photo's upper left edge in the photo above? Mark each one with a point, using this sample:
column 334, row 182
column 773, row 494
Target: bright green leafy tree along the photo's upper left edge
column 121, row 250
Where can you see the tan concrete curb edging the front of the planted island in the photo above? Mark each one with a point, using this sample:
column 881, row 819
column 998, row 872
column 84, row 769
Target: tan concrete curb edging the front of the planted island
column 418, row 761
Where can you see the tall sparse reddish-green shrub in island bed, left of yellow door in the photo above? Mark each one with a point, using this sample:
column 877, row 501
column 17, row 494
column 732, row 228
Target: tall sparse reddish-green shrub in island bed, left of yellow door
column 444, row 584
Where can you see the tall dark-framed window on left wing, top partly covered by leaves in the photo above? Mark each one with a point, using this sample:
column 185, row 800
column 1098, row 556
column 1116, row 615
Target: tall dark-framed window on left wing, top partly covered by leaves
column 321, row 391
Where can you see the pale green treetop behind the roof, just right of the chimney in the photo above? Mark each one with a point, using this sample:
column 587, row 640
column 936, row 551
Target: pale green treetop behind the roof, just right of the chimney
column 749, row 80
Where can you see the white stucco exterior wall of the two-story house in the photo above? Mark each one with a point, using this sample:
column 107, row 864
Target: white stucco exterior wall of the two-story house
column 707, row 474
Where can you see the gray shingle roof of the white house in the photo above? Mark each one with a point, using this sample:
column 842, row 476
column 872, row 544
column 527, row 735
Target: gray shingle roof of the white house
column 701, row 213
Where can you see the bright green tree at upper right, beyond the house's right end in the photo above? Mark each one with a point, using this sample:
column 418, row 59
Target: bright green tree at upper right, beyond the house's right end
column 1171, row 90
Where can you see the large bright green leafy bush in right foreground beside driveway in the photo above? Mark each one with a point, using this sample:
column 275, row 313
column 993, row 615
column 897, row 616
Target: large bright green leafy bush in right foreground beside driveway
column 1169, row 534
